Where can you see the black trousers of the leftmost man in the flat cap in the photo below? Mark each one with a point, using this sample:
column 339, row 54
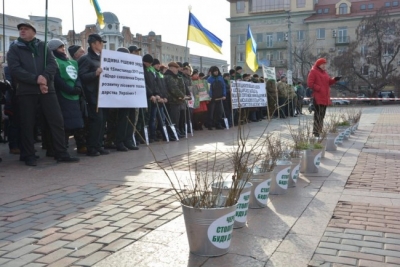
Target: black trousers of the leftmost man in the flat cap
column 52, row 113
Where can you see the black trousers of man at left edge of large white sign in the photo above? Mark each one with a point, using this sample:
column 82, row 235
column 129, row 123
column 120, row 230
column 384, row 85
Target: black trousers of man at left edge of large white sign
column 97, row 123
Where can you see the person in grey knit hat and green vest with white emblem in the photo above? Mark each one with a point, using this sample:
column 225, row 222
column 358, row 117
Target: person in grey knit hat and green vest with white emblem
column 68, row 89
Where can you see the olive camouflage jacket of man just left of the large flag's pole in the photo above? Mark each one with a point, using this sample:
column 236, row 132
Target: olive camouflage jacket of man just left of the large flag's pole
column 175, row 87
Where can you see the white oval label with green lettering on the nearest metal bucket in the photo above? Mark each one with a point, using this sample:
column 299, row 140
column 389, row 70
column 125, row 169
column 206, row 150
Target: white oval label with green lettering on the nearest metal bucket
column 220, row 231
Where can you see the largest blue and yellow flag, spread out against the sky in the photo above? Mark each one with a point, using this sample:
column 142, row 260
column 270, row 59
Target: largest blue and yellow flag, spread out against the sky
column 197, row 33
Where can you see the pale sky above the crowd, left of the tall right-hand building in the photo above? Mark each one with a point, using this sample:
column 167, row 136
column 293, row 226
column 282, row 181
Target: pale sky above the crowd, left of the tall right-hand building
column 168, row 18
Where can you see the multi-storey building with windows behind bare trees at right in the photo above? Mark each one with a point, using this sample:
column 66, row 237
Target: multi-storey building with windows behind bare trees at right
column 324, row 27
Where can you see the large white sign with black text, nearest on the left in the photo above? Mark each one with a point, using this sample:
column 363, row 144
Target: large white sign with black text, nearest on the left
column 122, row 81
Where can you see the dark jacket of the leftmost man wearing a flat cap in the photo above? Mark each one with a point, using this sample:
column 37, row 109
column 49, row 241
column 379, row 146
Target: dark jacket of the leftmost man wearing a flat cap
column 25, row 67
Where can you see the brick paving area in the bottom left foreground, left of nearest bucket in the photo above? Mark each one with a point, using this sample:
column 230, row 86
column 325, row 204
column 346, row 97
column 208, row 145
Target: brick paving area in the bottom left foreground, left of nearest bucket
column 80, row 225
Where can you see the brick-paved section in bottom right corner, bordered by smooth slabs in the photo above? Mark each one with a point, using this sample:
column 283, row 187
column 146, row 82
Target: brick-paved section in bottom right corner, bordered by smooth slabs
column 364, row 245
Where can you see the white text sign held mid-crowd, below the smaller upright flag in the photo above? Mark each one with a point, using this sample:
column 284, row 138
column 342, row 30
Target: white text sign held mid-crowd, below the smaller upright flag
column 248, row 95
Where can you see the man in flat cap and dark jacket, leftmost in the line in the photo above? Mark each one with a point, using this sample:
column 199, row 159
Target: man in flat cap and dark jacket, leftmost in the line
column 33, row 71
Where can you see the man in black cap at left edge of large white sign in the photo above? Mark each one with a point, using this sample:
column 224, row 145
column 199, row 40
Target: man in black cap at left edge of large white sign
column 89, row 73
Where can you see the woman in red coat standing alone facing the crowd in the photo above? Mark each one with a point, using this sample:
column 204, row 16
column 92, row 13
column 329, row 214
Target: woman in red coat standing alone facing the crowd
column 319, row 81
